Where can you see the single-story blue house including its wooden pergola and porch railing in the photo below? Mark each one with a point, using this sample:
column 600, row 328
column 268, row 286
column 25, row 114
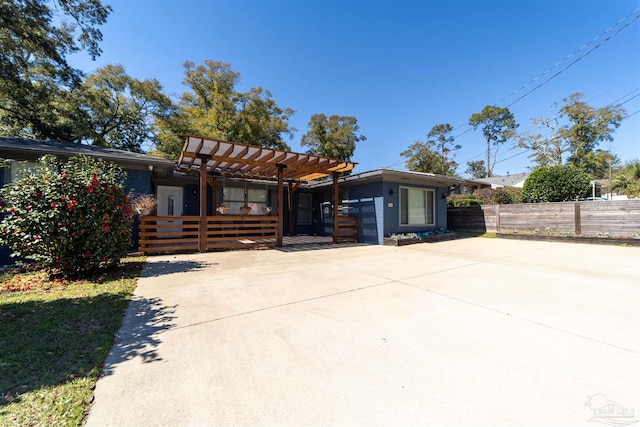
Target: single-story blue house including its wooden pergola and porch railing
column 272, row 185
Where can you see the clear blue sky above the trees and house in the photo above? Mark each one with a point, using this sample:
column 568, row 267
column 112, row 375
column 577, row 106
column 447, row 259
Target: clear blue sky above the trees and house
column 399, row 67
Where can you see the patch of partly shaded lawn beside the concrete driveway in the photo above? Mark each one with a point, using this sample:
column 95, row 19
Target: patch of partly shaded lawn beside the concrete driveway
column 54, row 338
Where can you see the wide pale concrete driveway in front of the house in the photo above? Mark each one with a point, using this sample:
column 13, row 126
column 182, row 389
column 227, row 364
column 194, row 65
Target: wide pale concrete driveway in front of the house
column 478, row 332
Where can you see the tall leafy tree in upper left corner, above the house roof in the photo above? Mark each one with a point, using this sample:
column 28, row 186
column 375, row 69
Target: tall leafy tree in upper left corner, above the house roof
column 36, row 37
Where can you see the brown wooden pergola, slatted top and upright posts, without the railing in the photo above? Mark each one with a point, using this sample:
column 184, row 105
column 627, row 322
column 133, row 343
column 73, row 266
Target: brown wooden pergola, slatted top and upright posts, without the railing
column 210, row 158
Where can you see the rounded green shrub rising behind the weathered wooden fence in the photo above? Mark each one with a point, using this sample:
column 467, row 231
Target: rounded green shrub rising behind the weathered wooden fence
column 556, row 184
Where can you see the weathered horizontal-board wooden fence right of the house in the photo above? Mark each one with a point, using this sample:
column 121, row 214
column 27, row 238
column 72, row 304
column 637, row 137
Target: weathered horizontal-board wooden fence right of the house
column 612, row 218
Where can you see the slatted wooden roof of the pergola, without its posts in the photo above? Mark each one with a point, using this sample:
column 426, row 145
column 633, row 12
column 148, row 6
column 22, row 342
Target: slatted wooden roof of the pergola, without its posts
column 234, row 159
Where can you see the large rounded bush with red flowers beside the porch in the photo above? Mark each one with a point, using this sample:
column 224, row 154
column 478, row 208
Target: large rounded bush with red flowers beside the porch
column 70, row 217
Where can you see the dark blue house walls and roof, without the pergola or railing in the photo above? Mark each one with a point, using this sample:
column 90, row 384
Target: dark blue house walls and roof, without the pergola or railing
column 384, row 201
